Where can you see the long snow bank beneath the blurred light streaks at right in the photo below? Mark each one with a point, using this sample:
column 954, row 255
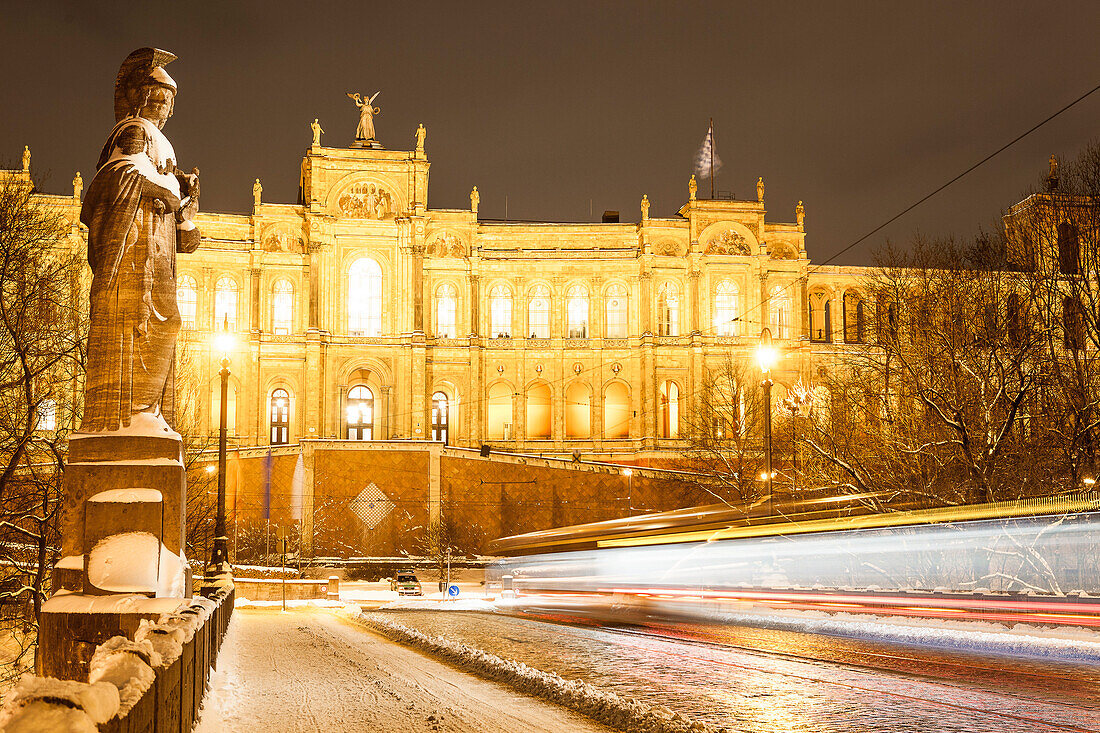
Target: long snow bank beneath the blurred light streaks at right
column 1080, row 646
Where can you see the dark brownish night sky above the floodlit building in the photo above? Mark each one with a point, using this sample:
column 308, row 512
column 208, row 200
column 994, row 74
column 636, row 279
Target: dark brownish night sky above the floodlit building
column 857, row 108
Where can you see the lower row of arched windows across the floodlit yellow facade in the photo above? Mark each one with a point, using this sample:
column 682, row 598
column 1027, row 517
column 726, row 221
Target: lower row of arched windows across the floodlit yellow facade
column 360, row 413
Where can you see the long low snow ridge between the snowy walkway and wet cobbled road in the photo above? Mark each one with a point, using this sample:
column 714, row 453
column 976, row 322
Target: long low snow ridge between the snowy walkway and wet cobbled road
column 604, row 707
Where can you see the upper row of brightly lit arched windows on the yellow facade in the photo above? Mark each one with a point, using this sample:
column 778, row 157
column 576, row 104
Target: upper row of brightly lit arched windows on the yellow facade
column 366, row 299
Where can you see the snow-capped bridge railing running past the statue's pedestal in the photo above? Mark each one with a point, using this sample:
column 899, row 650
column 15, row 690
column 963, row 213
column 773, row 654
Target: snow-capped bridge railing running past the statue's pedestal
column 152, row 683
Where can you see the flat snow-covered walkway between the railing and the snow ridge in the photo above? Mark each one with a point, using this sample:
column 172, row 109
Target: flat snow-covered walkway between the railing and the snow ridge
column 310, row 671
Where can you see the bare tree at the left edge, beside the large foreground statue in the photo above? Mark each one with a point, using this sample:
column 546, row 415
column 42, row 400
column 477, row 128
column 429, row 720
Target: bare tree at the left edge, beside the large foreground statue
column 40, row 368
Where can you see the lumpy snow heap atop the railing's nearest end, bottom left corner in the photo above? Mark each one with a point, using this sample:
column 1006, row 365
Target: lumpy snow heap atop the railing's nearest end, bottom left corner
column 43, row 705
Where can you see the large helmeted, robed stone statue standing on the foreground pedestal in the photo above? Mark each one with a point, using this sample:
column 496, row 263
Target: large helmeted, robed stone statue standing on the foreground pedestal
column 139, row 211
